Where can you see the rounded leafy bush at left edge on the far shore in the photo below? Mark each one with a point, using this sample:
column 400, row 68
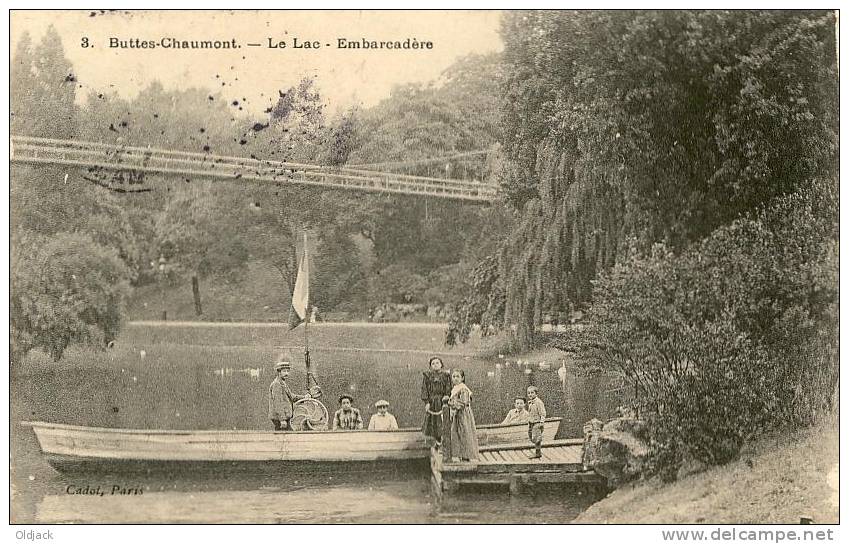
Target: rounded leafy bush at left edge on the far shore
column 67, row 288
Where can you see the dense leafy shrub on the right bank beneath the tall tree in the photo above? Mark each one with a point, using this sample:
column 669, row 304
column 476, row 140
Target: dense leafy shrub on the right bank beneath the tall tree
column 735, row 336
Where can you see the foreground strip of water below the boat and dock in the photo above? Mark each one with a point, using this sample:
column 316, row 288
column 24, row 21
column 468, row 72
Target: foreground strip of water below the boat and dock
column 332, row 496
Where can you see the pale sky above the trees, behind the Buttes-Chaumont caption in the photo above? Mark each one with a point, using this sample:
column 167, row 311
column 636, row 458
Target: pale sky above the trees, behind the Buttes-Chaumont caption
column 345, row 77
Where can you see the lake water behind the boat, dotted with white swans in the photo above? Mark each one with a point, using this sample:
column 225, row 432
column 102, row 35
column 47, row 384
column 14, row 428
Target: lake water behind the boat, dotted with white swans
column 192, row 381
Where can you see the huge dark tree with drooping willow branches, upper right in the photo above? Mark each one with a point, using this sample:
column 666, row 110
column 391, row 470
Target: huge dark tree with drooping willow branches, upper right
column 630, row 128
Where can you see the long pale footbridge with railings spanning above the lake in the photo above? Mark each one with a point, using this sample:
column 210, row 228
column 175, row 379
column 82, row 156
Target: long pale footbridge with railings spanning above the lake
column 123, row 169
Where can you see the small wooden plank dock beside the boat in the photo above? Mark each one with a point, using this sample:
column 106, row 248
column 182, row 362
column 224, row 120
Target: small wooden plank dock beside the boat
column 511, row 466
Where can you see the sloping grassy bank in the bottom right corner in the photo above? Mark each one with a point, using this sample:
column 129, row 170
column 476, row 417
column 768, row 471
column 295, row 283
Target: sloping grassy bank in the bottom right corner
column 777, row 480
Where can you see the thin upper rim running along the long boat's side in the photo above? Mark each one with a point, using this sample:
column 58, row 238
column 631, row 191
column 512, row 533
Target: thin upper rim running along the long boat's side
column 183, row 432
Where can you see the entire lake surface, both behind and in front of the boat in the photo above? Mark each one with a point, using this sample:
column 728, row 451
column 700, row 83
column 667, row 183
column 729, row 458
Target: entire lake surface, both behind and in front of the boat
column 217, row 378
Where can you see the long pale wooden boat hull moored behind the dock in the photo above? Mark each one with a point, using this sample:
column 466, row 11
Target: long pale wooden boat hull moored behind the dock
column 69, row 447
